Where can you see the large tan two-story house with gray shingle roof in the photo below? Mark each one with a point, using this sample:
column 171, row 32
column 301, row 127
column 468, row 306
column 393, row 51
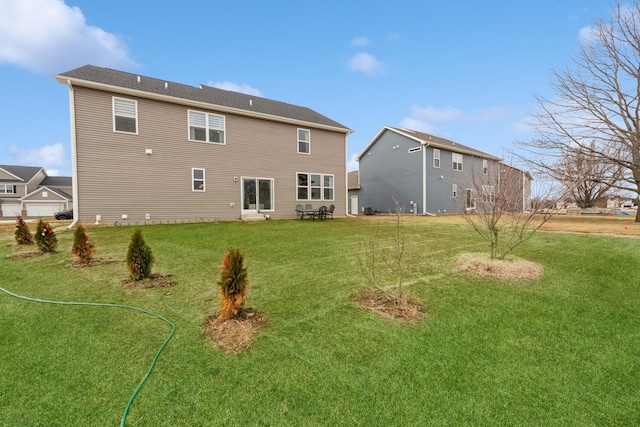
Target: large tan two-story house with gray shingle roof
column 146, row 149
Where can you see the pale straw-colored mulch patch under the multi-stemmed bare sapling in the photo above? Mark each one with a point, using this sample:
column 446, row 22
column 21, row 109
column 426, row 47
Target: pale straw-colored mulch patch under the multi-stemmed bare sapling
column 509, row 269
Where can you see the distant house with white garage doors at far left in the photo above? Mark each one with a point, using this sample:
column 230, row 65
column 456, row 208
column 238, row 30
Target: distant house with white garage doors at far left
column 29, row 192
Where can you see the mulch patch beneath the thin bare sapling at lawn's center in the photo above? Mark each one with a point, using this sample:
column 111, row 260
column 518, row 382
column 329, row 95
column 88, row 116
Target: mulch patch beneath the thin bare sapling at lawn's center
column 389, row 305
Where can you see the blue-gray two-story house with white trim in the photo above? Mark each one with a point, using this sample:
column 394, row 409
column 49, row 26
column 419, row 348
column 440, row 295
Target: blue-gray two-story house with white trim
column 428, row 175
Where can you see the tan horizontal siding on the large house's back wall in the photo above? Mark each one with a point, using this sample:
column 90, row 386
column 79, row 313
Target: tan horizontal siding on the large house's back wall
column 115, row 177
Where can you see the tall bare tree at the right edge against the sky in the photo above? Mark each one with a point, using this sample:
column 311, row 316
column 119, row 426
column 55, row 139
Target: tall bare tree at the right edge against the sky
column 594, row 113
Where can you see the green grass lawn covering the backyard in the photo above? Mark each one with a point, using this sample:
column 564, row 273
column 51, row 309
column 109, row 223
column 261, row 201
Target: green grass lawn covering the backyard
column 562, row 350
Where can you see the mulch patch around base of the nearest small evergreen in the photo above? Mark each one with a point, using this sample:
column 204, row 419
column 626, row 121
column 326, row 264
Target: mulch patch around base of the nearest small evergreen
column 234, row 335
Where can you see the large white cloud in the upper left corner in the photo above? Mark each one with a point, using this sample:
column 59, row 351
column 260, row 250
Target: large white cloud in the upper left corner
column 47, row 36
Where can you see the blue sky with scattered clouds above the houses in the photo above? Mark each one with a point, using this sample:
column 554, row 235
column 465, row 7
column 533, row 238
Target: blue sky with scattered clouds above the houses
column 464, row 70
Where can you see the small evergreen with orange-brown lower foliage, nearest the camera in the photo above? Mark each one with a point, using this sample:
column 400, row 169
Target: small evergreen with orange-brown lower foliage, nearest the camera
column 233, row 285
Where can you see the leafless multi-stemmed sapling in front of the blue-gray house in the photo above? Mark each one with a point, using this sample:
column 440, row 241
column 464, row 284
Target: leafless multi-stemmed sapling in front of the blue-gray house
column 498, row 207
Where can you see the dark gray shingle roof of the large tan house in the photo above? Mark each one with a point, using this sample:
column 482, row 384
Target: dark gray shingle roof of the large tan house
column 205, row 94
